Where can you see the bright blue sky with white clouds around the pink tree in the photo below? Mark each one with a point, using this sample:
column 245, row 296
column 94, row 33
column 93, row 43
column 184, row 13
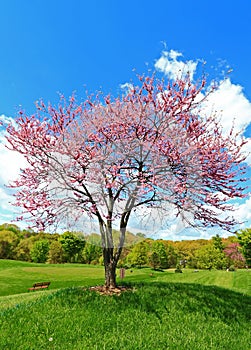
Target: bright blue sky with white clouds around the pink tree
column 51, row 46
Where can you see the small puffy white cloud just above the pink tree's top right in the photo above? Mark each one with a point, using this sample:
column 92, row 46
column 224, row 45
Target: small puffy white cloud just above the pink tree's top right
column 169, row 64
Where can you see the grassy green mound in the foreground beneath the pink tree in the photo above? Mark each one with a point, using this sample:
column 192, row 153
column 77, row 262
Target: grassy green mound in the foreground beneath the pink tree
column 152, row 316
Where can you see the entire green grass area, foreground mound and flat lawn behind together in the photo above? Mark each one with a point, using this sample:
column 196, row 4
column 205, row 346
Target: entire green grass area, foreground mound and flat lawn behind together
column 202, row 310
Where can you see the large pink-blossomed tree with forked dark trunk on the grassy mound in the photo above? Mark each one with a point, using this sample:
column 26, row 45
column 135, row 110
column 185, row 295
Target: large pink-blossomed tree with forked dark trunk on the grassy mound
column 151, row 148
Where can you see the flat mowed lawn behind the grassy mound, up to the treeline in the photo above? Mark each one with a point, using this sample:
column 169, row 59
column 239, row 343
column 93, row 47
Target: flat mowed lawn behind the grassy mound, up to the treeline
column 17, row 276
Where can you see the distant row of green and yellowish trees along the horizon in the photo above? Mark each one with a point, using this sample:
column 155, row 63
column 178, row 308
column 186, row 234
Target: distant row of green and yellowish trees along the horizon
column 139, row 251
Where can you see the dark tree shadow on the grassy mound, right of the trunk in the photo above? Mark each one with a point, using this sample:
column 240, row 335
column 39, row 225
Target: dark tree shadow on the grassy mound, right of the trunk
column 210, row 301
